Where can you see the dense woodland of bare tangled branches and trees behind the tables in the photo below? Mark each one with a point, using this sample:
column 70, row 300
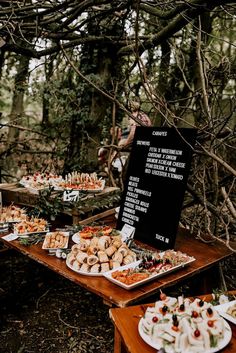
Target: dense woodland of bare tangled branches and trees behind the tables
column 70, row 70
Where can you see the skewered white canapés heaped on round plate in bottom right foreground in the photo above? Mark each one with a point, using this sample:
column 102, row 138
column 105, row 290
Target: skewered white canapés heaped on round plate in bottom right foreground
column 182, row 325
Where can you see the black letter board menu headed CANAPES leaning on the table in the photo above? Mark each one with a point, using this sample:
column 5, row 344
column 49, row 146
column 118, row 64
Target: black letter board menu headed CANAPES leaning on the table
column 155, row 184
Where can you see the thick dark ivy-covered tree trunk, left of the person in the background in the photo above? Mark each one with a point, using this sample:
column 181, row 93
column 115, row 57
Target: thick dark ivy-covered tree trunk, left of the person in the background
column 101, row 66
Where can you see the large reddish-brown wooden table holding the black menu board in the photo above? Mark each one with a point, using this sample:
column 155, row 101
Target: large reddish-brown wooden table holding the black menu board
column 207, row 257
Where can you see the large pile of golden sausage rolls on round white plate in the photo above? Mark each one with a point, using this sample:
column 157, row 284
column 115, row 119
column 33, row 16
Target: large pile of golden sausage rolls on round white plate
column 99, row 254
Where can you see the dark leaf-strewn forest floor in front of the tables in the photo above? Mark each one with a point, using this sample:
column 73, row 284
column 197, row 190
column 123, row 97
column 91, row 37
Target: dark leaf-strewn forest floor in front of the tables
column 42, row 312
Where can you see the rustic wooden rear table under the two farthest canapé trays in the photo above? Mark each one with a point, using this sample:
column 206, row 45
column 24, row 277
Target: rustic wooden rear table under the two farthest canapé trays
column 19, row 195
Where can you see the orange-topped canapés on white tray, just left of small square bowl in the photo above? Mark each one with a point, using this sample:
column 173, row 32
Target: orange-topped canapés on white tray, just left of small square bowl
column 35, row 225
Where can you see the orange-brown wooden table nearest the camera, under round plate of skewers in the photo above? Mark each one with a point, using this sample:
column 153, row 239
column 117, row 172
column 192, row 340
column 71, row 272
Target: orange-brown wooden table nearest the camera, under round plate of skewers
column 127, row 338
